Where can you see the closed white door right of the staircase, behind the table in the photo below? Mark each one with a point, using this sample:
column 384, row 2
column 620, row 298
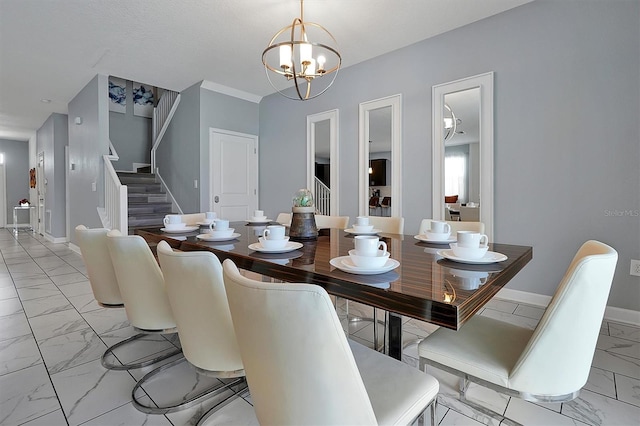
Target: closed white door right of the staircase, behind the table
column 234, row 174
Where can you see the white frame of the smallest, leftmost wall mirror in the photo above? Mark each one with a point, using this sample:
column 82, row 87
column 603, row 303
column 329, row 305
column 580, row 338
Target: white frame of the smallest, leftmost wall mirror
column 332, row 116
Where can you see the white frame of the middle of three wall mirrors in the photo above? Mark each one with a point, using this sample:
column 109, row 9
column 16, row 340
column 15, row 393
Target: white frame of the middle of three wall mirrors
column 395, row 102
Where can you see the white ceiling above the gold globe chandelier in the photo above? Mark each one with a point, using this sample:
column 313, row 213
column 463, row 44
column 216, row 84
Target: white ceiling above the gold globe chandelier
column 52, row 49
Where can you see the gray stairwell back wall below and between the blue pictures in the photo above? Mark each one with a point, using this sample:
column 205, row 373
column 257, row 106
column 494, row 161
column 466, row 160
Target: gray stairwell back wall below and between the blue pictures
column 130, row 135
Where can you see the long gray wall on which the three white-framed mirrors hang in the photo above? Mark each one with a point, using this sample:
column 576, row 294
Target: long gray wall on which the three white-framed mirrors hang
column 567, row 102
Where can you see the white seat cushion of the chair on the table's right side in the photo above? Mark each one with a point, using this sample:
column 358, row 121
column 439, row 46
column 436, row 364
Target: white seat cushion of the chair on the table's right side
column 484, row 347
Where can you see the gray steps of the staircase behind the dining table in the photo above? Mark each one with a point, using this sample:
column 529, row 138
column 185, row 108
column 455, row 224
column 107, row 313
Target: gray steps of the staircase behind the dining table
column 147, row 202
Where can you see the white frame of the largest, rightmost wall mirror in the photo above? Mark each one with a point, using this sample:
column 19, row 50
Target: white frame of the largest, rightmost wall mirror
column 485, row 83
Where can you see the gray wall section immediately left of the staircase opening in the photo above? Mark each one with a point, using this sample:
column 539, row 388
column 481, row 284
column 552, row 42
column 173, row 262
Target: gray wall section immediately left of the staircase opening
column 88, row 142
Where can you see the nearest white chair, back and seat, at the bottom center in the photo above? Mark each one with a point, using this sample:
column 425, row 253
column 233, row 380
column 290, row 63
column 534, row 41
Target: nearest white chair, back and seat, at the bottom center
column 302, row 369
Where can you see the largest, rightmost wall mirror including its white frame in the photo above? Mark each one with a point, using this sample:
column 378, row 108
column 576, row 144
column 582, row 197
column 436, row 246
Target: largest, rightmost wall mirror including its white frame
column 463, row 150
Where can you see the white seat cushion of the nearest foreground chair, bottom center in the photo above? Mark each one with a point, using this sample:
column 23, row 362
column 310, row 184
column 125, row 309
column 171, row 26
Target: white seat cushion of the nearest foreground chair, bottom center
column 398, row 393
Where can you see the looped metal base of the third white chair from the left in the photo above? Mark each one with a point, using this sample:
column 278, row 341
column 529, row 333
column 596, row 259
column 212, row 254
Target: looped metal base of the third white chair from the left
column 184, row 402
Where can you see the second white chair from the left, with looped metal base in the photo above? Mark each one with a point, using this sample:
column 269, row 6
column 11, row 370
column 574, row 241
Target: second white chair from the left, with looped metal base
column 141, row 285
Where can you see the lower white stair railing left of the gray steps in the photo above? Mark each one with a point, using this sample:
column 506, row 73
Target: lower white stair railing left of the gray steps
column 115, row 199
